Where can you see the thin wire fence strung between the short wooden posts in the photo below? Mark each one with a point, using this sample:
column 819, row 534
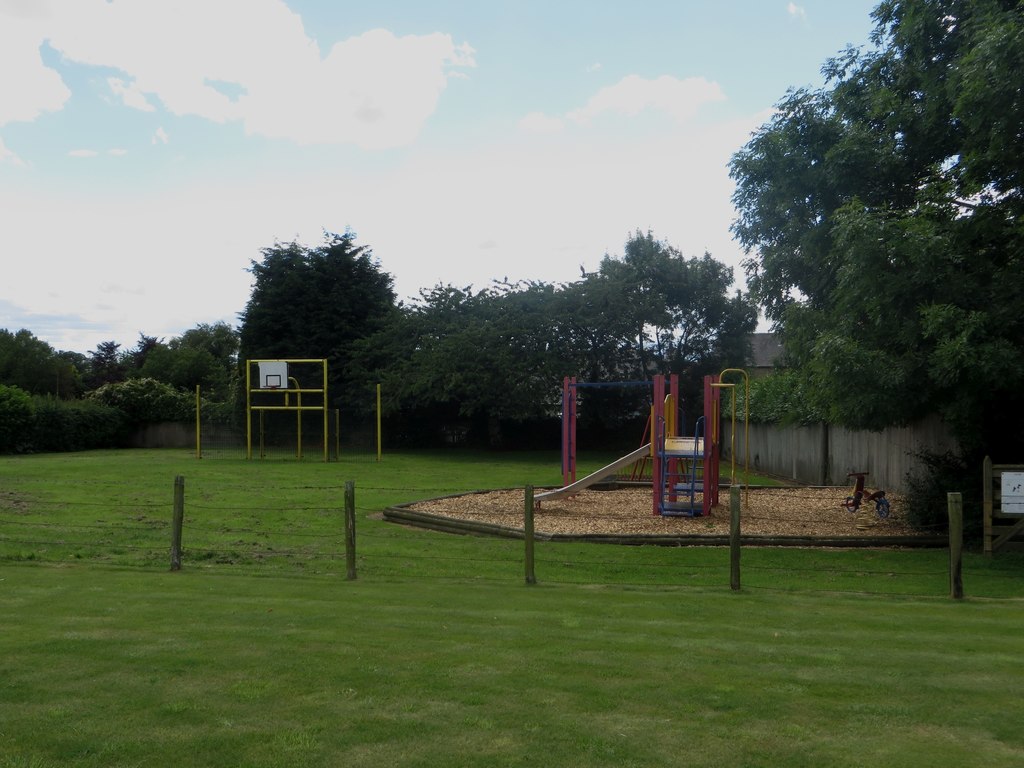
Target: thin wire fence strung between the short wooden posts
column 304, row 532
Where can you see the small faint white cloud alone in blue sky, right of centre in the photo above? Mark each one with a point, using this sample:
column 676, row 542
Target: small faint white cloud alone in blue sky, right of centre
column 633, row 95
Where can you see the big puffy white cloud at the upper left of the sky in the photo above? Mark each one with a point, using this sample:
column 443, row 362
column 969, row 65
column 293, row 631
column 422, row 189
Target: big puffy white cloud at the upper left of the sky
column 374, row 90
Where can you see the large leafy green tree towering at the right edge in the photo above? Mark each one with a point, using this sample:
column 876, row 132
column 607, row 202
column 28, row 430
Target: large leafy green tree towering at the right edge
column 883, row 218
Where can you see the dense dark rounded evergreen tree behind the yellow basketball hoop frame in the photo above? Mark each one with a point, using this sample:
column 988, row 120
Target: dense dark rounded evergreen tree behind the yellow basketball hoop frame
column 318, row 303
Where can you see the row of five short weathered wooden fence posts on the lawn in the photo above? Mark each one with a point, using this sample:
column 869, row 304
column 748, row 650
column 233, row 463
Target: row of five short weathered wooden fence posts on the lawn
column 955, row 509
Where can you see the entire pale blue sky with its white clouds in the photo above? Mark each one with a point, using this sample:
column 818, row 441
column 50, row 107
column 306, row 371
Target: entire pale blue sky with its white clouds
column 150, row 150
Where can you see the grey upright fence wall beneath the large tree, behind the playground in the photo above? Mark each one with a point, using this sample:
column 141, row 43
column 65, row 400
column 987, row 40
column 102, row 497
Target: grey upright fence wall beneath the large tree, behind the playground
column 824, row 455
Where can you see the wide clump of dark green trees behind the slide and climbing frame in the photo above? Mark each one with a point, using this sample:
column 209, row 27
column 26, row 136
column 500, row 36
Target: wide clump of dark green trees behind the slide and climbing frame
column 492, row 361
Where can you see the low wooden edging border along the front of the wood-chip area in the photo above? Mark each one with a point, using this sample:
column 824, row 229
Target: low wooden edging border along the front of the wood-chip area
column 403, row 516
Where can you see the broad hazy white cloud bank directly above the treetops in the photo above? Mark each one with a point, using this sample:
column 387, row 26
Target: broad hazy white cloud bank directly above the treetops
column 536, row 210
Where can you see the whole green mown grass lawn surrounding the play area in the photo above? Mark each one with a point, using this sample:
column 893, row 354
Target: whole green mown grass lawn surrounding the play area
column 260, row 653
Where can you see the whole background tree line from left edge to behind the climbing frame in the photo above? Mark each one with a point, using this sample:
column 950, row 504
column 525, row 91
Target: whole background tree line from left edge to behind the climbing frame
column 458, row 364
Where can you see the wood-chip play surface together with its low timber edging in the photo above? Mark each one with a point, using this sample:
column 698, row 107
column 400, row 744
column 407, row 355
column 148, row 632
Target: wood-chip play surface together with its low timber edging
column 799, row 515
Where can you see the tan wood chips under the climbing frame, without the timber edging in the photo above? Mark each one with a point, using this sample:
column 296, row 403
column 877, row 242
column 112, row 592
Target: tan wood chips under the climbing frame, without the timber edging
column 797, row 511
